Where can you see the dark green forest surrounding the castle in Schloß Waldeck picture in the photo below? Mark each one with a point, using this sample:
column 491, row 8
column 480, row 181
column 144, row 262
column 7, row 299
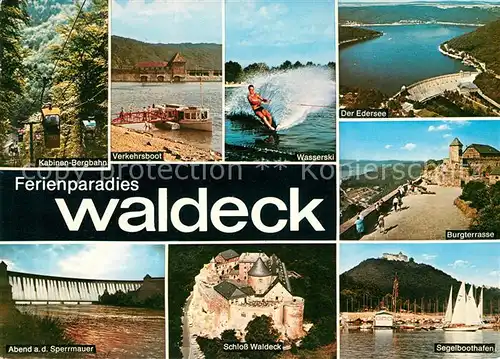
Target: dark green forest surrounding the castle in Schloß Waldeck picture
column 316, row 264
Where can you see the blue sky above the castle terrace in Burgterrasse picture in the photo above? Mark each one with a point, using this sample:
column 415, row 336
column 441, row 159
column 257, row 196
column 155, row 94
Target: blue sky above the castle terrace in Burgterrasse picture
column 412, row 140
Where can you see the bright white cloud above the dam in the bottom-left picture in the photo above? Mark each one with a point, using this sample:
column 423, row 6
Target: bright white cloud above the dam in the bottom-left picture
column 101, row 260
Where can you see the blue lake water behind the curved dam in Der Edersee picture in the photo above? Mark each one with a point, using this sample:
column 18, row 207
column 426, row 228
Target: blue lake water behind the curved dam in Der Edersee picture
column 404, row 55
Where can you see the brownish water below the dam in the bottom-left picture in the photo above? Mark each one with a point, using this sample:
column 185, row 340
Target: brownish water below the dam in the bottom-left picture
column 124, row 333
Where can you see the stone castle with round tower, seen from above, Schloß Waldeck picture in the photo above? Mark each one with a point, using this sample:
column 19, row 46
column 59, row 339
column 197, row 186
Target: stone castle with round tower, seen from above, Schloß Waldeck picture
column 233, row 289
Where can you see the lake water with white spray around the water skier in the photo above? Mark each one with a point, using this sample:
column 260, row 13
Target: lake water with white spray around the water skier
column 302, row 103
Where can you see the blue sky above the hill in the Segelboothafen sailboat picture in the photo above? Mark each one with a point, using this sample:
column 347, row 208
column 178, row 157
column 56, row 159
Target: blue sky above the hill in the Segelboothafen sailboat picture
column 476, row 263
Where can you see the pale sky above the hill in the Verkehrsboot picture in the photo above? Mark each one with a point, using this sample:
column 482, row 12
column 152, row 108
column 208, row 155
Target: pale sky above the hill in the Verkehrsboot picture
column 168, row 21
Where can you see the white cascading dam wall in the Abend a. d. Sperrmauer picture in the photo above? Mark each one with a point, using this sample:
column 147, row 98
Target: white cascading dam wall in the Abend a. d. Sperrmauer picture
column 39, row 289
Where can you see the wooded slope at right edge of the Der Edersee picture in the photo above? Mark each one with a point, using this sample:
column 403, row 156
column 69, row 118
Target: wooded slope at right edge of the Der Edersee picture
column 483, row 44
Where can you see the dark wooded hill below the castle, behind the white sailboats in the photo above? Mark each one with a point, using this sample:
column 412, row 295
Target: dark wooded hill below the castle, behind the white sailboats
column 367, row 284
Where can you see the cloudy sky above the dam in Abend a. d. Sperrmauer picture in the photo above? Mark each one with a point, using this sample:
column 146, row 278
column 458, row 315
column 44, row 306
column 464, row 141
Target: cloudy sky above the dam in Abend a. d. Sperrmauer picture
column 93, row 261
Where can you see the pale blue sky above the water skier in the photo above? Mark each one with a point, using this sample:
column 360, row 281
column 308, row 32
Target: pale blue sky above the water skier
column 276, row 31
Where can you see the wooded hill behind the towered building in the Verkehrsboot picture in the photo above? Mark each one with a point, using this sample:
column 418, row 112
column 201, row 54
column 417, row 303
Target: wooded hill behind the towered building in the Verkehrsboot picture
column 125, row 53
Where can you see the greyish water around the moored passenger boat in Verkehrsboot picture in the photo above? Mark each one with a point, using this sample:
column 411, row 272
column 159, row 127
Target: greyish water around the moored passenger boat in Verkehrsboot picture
column 136, row 96
